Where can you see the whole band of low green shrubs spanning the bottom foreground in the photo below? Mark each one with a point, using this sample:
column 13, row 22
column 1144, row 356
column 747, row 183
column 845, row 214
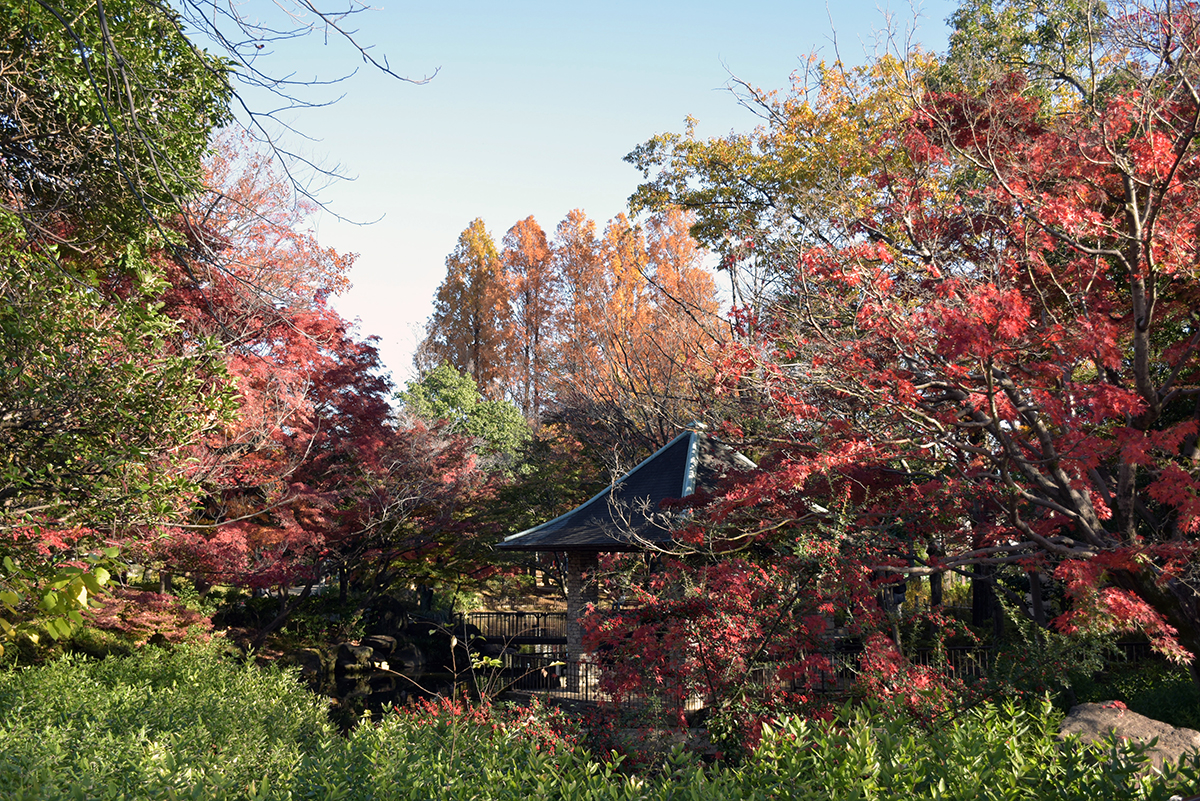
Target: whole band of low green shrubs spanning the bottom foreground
column 189, row 724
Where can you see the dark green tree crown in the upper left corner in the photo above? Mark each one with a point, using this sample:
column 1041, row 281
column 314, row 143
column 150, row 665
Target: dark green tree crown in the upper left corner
column 105, row 113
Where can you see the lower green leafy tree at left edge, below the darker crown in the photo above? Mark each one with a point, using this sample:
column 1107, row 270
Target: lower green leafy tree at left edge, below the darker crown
column 95, row 398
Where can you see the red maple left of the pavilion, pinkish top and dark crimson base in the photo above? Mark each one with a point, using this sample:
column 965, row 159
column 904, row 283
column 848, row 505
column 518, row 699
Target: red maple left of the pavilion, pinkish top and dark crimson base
column 311, row 477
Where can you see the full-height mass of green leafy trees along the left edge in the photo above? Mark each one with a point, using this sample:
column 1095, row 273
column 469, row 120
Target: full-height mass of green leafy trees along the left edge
column 106, row 111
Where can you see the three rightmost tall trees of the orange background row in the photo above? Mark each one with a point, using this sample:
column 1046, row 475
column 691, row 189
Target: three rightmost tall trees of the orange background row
column 638, row 330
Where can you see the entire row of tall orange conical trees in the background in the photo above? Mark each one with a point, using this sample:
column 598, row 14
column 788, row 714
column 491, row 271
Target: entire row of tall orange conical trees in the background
column 608, row 333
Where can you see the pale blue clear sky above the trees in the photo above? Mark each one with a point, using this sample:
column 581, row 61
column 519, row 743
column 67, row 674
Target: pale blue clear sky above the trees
column 531, row 112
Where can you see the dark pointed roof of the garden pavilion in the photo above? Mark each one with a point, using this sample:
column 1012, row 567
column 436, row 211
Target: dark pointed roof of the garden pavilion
column 628, row 515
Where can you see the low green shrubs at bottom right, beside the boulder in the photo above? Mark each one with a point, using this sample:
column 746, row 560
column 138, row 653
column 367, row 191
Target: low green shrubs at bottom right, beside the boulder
column 989, row 754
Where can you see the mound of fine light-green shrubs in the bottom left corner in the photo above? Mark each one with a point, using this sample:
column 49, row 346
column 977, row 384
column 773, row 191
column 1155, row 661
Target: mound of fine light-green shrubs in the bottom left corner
column 151, row 726
